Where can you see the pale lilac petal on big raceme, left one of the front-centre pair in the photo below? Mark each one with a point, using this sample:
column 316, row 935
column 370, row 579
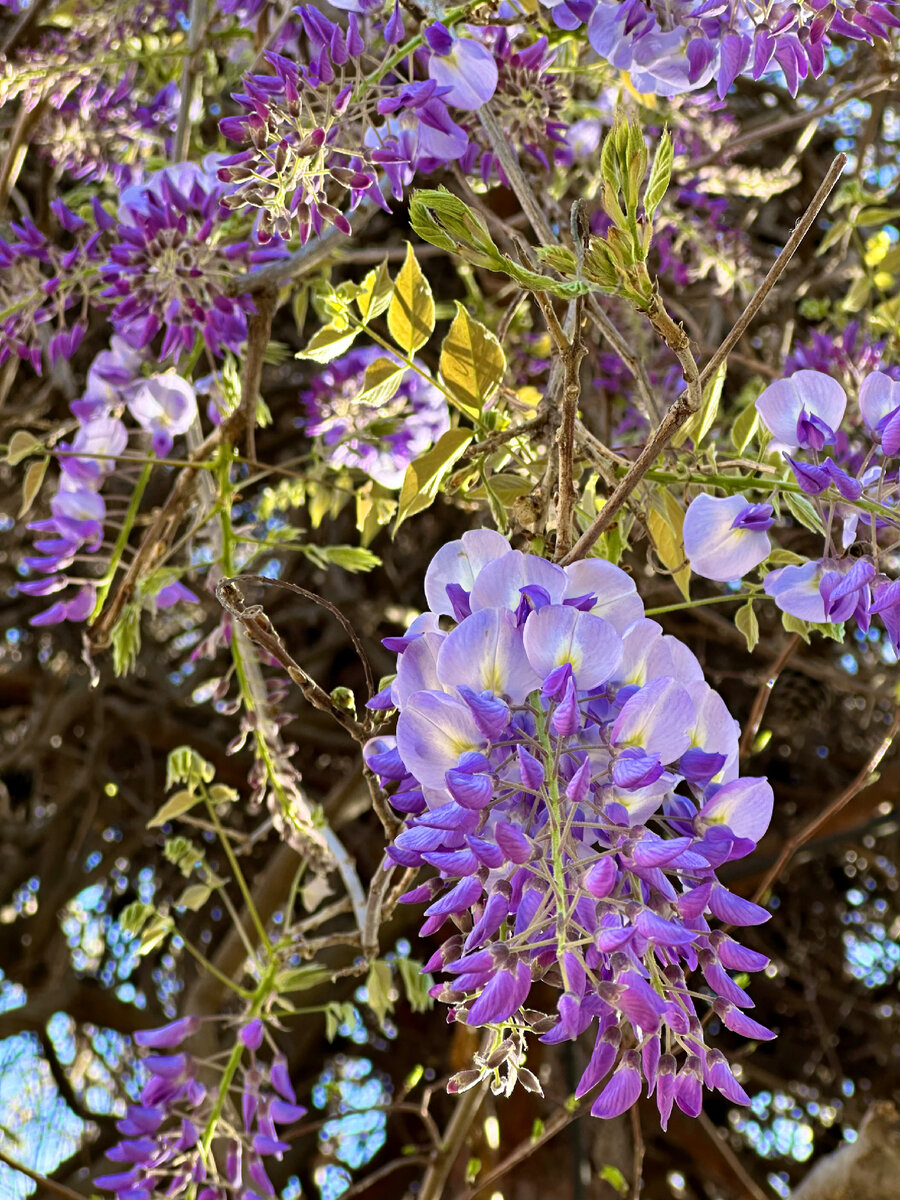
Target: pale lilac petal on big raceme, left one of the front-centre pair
column 485, row 653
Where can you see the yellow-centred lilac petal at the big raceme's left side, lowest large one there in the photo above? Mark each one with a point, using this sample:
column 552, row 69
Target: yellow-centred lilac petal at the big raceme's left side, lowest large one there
column 433, row 734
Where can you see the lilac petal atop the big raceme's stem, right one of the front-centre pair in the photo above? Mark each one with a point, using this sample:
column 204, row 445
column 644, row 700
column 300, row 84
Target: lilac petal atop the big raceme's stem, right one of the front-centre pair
column 560, row 634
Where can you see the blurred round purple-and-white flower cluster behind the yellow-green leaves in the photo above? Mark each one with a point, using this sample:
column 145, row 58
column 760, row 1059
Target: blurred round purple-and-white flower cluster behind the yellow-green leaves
column 380, row 439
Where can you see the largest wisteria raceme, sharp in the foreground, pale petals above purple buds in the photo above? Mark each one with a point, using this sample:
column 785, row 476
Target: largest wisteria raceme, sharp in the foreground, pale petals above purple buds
column 574, row 782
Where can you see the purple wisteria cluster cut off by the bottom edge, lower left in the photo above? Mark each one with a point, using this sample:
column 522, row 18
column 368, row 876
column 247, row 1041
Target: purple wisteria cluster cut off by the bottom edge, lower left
column 173, row 1137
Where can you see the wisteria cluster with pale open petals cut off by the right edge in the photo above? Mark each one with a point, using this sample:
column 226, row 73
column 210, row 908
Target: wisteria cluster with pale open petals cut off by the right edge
column 854, row 487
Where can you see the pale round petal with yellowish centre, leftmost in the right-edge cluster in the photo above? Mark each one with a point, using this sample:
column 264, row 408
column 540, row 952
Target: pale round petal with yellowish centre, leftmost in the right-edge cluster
column 715, row 548
